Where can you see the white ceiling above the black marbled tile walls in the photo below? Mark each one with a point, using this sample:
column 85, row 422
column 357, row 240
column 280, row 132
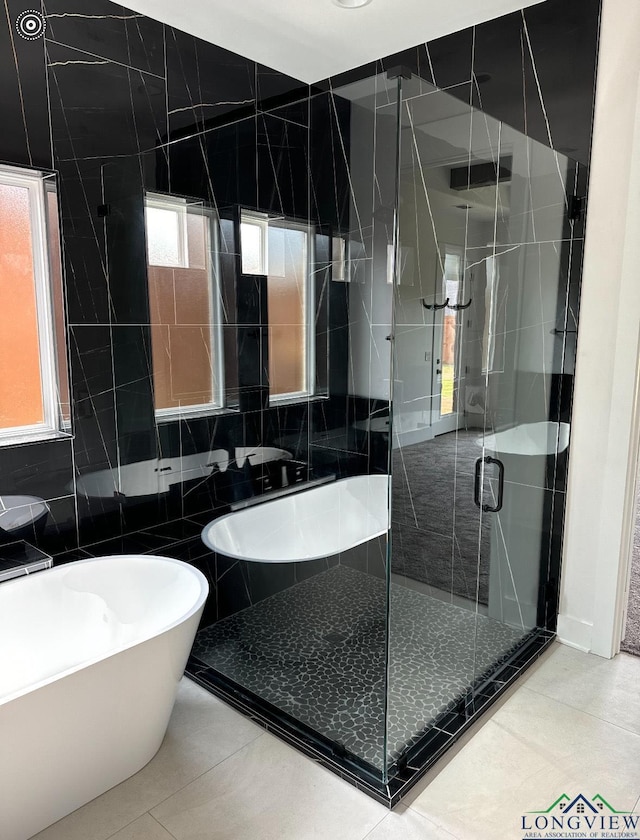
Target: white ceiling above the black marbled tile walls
column 313, row 39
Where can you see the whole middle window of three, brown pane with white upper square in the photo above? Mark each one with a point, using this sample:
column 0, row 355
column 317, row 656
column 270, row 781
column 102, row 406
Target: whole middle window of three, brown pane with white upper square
column 185, row 310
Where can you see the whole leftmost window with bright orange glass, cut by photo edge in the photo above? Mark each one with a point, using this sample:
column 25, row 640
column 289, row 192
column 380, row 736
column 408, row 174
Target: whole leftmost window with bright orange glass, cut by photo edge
column 34, row 386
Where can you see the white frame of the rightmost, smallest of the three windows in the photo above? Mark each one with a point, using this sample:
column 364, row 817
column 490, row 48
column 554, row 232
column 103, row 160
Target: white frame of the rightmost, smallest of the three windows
column 264, row 220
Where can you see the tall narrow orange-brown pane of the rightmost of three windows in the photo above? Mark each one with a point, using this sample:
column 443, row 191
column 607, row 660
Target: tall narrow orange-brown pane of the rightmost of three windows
column 287, row 306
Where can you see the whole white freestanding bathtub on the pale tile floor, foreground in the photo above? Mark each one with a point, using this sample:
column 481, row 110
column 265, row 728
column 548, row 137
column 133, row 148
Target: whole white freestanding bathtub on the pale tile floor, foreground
column 91, row 654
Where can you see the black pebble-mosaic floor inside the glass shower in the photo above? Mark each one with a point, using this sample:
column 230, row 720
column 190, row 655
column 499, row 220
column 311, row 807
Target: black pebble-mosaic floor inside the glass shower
column 317, row 652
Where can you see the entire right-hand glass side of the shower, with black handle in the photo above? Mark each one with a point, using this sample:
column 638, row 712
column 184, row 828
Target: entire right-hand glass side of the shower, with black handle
column 473, row 502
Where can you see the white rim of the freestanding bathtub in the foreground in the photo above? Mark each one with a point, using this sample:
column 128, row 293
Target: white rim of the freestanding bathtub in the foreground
column 144, row 637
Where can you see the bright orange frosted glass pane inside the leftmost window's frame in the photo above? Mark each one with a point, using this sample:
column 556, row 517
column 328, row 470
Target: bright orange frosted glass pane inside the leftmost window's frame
column 21, row 400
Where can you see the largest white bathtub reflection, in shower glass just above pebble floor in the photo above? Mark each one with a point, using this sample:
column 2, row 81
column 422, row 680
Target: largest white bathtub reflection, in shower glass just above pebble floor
column 314, row 523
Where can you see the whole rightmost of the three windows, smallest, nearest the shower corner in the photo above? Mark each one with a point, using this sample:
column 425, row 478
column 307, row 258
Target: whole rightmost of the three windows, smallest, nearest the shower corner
column 282, row 250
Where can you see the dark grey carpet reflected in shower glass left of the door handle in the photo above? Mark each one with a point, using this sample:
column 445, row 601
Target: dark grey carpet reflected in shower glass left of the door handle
column 438, row 535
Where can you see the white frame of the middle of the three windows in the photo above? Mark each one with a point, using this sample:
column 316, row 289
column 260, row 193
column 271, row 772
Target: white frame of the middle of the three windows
column 166, row 201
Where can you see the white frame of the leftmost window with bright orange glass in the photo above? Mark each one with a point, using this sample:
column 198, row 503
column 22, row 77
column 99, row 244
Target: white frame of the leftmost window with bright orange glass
column 52, row 425
